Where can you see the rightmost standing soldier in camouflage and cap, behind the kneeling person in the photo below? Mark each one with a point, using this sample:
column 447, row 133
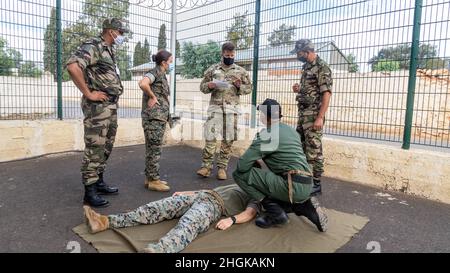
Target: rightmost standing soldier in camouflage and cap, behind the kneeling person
column 313, row 97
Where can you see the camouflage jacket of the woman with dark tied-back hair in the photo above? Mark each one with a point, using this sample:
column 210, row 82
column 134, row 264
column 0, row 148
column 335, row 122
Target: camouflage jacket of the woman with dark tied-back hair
column 160, row 87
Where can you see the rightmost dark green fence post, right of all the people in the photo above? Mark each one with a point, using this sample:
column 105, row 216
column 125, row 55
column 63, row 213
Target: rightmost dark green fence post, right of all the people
column 412, row 75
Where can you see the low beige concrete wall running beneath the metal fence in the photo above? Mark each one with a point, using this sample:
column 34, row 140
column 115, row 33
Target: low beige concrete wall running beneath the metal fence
column 419, row 172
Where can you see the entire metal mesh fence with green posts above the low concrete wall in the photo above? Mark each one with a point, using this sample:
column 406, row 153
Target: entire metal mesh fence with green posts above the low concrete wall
column 390, row 59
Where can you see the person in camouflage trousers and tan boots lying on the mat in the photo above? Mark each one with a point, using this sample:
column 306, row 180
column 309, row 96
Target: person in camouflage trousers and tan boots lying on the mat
column 197, row 211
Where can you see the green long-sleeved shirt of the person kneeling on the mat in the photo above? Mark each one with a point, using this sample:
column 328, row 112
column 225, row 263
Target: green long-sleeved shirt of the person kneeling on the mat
column 280, row 150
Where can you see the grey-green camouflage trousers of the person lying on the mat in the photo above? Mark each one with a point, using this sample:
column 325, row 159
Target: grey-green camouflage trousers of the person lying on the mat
column 197, row 213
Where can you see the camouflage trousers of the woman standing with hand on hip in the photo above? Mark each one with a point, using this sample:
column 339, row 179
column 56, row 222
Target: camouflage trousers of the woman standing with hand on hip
column 154, row 136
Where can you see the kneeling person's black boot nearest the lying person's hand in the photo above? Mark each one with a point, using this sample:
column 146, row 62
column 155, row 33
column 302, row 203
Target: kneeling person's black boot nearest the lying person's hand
column 273, row 216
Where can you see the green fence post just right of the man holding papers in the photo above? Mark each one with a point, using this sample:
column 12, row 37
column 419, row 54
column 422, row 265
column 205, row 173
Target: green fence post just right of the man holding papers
column 255, row 61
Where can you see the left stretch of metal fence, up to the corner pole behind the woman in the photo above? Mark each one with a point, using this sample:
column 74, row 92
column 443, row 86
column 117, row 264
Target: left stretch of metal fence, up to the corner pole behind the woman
column 32, row 30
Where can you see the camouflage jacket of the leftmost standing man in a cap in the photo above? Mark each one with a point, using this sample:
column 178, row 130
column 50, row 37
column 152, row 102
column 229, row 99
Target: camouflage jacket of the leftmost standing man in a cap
column 97, row 60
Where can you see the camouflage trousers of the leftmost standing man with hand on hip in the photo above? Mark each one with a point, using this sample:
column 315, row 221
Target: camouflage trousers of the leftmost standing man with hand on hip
column 100, row 128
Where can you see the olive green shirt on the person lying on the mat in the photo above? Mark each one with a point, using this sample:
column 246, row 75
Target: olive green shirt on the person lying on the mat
column 235, row 200
